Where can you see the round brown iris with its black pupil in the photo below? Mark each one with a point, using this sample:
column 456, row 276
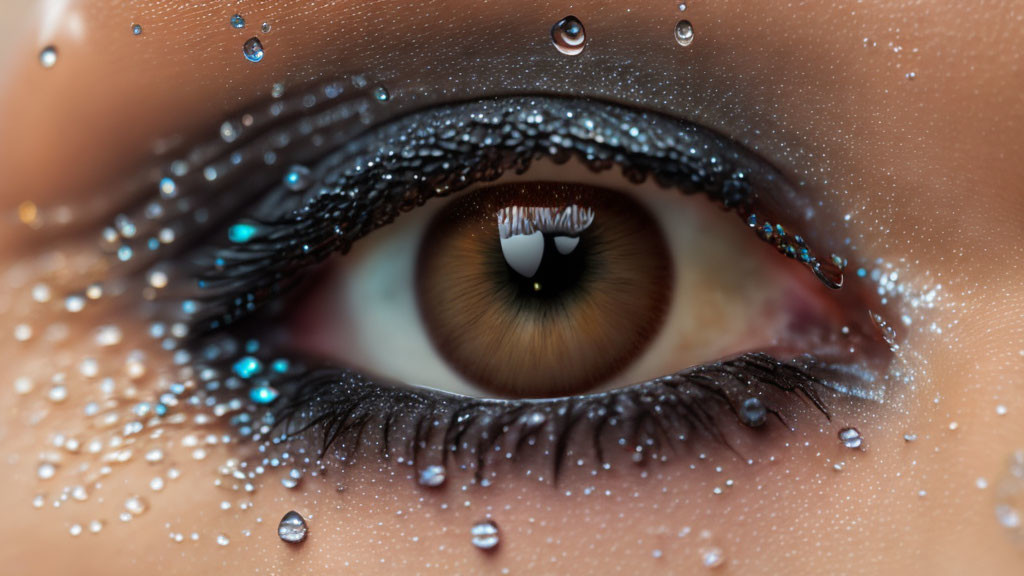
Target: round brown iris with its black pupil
column 580, row 319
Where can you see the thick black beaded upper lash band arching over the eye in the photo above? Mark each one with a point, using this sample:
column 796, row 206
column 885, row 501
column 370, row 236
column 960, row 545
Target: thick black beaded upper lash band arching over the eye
column 373, row 179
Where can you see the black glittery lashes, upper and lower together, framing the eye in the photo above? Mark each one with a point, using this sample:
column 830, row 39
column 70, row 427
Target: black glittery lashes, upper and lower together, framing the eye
column 296, row 230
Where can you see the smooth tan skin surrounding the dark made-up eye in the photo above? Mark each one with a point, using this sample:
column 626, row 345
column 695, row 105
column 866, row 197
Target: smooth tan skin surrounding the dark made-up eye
column 929, row 169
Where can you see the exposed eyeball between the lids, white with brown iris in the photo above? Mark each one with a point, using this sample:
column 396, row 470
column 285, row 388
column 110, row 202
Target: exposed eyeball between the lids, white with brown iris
column 547, row 289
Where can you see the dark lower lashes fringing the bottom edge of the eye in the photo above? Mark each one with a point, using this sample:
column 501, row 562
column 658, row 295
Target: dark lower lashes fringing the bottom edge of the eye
column 344, row 413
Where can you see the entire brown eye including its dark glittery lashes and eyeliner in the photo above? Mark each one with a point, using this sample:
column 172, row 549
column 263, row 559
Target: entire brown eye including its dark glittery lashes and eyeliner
column 559, row 260
